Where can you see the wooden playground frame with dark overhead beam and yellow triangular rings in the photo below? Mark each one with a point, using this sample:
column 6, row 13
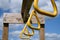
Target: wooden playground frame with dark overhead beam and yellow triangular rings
column 26, row 18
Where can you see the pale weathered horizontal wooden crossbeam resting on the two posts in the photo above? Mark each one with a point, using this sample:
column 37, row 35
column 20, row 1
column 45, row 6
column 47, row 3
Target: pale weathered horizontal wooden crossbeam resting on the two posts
column 16, row 18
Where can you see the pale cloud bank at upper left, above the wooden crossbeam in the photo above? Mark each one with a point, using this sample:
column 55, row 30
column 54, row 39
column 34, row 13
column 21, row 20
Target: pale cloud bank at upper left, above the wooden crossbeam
column 13, row 5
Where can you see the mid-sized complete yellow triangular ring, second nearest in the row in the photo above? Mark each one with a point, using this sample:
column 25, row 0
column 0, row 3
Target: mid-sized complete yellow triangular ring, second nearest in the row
column 38, row 22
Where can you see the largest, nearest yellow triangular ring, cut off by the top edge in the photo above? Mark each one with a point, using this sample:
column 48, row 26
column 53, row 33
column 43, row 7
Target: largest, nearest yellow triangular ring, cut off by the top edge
column 40, row 11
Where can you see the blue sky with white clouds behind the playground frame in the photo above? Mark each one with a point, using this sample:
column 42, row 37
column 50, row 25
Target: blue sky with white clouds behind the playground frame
column 52, row 25
